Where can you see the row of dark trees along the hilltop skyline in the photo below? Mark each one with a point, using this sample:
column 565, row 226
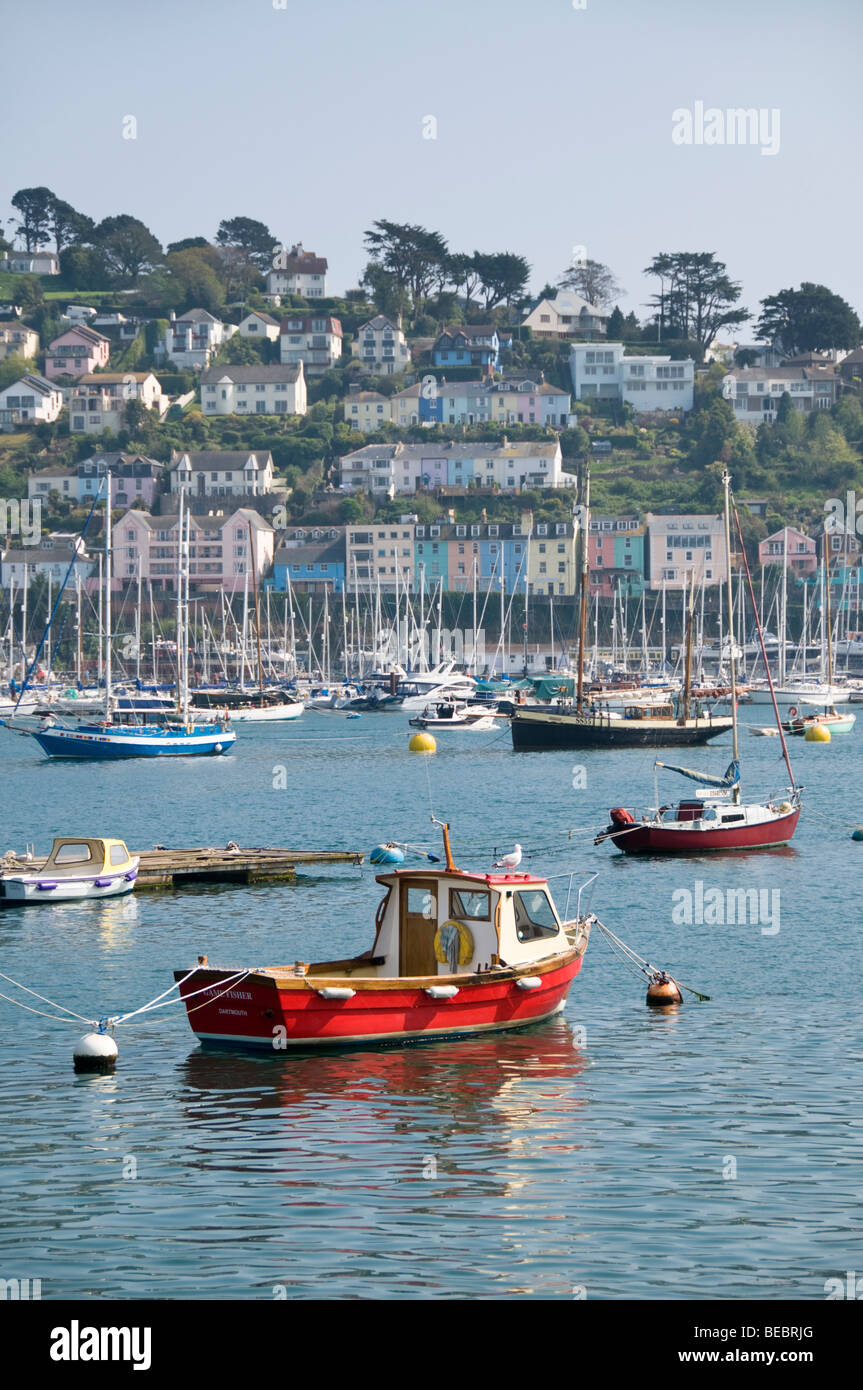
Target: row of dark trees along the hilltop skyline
column 412, row 270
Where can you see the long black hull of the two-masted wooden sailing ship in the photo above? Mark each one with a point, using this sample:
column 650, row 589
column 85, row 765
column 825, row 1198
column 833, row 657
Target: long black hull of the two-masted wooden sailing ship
column 539, row 729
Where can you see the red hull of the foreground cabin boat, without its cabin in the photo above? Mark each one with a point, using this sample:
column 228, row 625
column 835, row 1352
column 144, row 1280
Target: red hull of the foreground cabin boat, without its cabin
column 256, row 1011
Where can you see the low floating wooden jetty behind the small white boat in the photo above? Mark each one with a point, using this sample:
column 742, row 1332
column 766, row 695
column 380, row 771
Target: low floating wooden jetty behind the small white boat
column 166, row 869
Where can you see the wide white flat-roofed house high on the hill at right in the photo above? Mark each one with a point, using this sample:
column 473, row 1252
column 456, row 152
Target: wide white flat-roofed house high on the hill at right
column 651, row 383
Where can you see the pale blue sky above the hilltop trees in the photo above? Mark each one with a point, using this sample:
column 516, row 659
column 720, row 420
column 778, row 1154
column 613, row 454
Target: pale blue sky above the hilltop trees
column 551, row 127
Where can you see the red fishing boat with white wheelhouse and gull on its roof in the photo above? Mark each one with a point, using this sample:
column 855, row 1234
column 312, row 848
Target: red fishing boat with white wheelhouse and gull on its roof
column 455, row 953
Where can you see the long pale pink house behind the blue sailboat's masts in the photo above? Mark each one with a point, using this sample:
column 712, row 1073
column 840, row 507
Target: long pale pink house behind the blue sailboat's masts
column 224, row 550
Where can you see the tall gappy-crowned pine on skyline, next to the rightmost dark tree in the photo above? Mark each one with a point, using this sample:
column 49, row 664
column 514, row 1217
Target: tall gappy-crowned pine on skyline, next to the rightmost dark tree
column 700, row 298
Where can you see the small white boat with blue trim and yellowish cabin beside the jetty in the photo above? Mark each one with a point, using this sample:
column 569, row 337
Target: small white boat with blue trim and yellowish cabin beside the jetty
column 77, row 868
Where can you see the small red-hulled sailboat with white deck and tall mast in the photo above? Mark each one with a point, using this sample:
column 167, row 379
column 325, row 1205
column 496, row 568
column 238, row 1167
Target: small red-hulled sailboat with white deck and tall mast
column 715, row 818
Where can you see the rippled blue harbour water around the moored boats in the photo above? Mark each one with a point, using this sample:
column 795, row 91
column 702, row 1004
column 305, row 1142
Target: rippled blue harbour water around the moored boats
column 591, row 1153
